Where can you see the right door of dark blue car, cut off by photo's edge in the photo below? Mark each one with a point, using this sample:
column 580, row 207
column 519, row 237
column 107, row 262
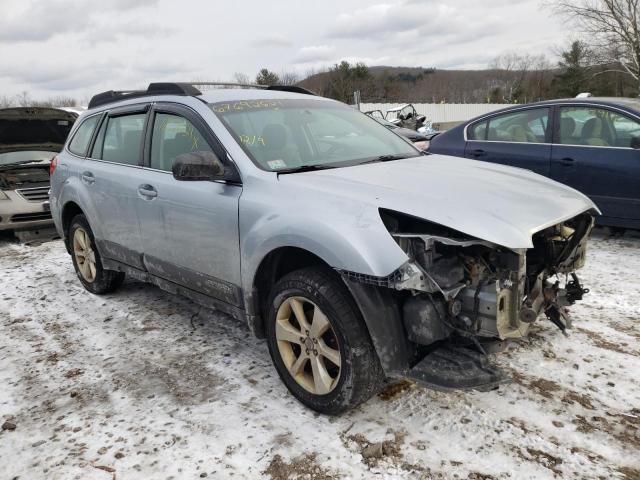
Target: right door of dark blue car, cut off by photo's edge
column 595, row 151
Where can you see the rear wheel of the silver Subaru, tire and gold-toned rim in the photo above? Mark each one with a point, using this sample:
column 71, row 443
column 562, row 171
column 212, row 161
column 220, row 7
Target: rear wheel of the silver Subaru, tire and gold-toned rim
column 87, row 261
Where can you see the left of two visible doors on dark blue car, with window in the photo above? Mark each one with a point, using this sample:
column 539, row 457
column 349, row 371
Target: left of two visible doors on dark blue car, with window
column 519, row 138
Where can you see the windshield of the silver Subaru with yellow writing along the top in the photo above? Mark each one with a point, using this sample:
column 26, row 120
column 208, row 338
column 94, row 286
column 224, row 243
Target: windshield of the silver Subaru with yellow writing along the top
column 290, row 134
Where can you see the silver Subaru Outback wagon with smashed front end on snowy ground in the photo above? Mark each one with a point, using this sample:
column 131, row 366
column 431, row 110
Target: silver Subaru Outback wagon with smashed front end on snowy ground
column 355, row 255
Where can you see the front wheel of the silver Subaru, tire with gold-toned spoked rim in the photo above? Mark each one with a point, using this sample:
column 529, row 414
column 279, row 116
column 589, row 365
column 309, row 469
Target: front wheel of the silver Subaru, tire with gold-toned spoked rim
column 359, row 375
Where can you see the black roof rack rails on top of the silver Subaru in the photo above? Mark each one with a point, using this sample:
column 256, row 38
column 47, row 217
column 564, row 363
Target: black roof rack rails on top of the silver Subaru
column 181, row 88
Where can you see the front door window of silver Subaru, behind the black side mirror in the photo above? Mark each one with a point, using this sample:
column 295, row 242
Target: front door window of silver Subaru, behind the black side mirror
column 172, row 136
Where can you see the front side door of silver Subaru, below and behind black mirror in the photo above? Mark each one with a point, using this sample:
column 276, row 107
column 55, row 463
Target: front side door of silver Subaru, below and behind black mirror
column 189, row 229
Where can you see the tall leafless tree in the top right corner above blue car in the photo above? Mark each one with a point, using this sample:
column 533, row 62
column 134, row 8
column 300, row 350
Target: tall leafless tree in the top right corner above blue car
column 613, row 26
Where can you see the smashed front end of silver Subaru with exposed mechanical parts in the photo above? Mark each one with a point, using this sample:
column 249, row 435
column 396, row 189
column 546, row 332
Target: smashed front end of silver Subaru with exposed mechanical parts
column 460, row 296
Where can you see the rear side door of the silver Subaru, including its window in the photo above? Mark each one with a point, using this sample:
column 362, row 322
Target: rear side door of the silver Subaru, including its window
column 111, row 174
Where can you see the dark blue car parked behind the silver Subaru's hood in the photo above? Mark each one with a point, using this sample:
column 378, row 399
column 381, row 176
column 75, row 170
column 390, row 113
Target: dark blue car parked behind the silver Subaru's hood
column 591, row 144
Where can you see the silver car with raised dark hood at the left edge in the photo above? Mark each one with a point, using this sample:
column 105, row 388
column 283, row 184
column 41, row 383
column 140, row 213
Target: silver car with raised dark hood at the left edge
column 29, row 138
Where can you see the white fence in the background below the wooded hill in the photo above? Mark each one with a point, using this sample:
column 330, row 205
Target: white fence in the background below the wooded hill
column 441, row 112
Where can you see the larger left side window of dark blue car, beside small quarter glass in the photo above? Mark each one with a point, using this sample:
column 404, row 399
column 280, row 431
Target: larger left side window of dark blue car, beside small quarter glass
column 526, row 126
